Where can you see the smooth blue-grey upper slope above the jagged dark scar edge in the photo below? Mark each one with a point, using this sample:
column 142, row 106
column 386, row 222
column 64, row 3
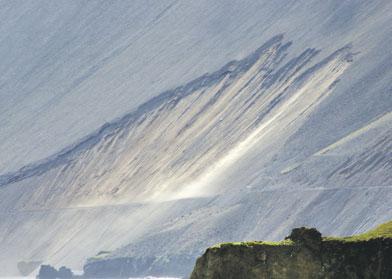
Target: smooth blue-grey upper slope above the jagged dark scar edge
column 69, row 66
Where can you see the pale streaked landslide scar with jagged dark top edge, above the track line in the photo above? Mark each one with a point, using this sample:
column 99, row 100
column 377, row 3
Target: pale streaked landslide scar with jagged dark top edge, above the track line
column 189, row 135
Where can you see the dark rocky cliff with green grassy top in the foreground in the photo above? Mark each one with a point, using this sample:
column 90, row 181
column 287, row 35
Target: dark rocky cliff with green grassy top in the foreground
column 303, row 254
